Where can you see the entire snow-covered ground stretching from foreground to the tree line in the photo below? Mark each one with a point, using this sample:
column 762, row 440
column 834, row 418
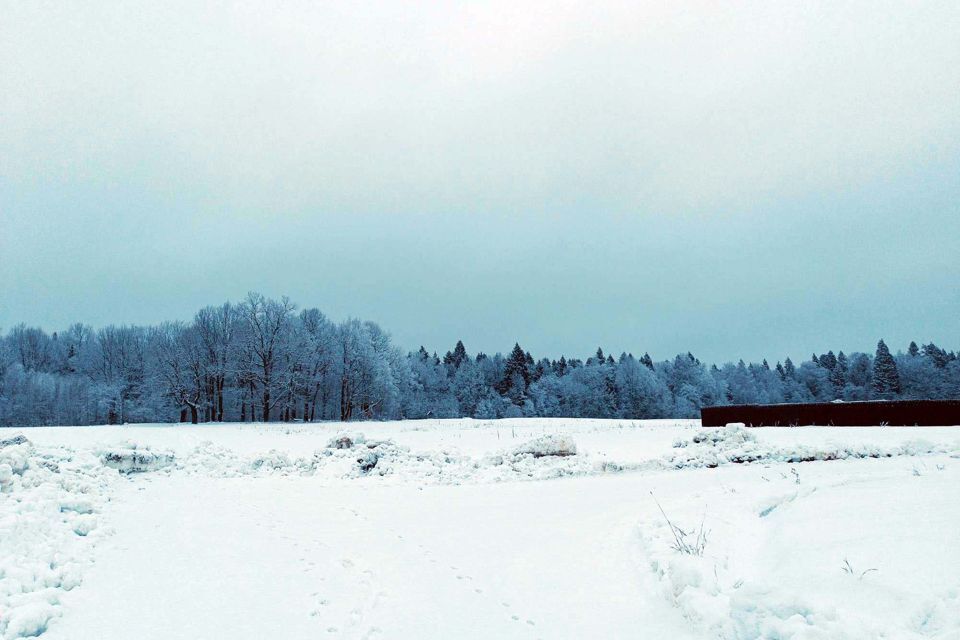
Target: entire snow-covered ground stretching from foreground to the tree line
column 472, row 529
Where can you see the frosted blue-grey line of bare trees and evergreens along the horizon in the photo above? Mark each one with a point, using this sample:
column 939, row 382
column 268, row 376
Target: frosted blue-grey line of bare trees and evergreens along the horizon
column 265, row 360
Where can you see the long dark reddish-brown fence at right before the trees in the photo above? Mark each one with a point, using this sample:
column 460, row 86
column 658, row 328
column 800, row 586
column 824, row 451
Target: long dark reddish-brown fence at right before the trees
column 920, row 413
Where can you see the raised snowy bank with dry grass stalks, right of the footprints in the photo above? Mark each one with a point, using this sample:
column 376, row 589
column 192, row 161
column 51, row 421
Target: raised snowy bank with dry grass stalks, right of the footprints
column 833, row 552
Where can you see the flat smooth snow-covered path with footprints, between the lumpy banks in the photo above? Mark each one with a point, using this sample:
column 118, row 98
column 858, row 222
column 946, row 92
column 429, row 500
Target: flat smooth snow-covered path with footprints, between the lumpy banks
column 284, row 557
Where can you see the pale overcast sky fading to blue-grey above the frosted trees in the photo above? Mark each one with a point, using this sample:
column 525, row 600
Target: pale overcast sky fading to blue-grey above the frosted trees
column 758, row 180
